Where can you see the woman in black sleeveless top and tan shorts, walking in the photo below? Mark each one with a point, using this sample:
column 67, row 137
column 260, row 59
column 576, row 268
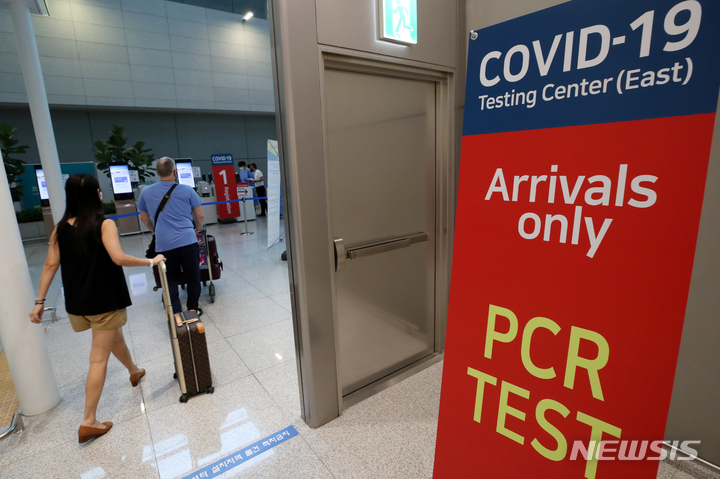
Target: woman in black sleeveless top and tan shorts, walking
column 88, row 247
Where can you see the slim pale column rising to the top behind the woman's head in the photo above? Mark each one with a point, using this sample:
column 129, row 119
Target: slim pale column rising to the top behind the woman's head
column 37, row 98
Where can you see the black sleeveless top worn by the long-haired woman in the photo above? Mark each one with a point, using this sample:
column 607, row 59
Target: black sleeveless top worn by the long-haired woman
column 93, row 283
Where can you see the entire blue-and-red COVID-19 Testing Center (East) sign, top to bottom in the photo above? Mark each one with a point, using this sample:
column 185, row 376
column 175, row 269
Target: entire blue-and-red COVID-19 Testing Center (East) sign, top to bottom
column 585, row 150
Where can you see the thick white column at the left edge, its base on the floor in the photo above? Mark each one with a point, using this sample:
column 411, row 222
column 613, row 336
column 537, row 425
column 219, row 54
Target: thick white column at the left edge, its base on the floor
column 24, row 342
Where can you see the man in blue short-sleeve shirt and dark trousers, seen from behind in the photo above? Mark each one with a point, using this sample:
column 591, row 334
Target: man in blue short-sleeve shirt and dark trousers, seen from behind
column 175, row 236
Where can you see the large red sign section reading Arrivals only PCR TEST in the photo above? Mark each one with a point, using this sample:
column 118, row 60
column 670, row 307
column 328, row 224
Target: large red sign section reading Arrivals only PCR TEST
column 565, row 316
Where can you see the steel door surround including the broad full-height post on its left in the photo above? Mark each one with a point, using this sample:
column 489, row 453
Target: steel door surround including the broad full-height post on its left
column 298, row 66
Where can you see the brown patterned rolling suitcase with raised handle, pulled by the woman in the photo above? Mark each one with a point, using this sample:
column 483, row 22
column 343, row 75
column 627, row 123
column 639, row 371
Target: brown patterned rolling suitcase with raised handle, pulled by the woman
column 187, row 334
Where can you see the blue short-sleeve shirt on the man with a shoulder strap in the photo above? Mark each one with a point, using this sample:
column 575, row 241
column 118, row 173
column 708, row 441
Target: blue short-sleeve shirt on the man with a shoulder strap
column 174, row 228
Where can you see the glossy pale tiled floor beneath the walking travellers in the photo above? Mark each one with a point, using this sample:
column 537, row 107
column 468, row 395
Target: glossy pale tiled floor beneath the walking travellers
column 249, row 330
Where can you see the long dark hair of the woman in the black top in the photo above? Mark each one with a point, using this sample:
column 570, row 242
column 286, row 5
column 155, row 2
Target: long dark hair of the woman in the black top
column 82, row 202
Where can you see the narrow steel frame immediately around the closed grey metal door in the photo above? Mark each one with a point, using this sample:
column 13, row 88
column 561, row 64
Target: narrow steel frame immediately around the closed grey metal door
column 336, row 59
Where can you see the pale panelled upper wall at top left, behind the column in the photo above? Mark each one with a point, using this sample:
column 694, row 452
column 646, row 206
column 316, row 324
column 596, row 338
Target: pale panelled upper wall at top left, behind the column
column 94, row 51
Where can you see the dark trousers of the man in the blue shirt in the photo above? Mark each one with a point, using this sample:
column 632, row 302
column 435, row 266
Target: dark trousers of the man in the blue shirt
column 185, row 259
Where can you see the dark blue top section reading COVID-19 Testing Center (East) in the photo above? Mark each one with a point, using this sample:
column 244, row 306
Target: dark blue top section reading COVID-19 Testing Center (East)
column 587, row 62
